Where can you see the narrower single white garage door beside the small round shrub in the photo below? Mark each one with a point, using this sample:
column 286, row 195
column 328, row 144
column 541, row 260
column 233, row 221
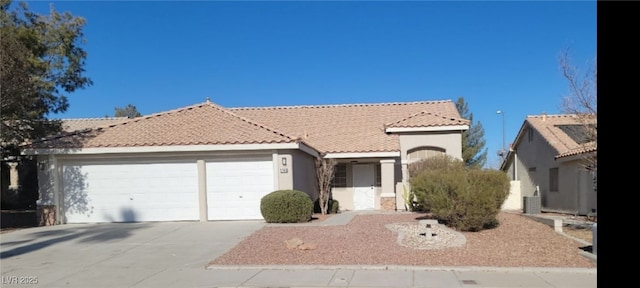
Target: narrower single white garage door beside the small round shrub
column 235, row 188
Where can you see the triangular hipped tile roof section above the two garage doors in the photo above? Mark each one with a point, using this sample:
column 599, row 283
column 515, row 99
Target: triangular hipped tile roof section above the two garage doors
column 201, row 124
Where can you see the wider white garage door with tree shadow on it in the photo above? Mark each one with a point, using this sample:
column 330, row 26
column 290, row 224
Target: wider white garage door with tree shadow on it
column 130, row 192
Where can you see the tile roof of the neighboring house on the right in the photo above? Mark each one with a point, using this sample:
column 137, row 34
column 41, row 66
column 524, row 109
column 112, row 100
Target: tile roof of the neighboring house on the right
column 549, row 127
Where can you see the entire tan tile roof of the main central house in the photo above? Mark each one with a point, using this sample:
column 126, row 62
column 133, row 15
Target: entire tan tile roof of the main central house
column 327, row 128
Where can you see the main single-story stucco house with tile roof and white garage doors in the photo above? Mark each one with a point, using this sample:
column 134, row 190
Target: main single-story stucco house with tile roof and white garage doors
column 206, row 162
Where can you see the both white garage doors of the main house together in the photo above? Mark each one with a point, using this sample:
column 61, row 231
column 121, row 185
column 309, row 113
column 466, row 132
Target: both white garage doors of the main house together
column 107, row 191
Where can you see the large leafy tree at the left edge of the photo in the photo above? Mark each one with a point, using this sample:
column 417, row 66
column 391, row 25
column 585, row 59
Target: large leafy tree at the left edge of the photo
column 41, row 63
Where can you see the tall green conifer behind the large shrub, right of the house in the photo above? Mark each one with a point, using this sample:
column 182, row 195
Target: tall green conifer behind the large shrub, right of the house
column 473, row 152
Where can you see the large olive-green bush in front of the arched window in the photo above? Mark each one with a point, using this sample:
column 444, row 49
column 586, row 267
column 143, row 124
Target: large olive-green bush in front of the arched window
column 464, row 199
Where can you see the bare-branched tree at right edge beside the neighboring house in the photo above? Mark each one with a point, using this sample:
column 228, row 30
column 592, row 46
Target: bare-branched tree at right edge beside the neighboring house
column 582, row 101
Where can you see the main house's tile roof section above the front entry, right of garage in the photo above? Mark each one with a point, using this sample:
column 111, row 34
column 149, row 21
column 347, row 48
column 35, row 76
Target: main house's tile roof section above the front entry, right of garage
column 354, row 127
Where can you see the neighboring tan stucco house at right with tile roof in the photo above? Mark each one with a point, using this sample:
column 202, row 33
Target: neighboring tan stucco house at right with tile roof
column 548, row 155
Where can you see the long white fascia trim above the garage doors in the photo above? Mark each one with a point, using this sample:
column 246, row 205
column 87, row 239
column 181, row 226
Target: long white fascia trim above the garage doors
column 180, row 148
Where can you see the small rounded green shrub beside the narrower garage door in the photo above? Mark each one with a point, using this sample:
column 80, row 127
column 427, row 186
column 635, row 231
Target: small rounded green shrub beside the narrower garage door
column 286, row 206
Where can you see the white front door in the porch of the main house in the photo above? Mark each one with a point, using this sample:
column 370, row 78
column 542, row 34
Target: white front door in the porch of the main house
column 363, row 187
